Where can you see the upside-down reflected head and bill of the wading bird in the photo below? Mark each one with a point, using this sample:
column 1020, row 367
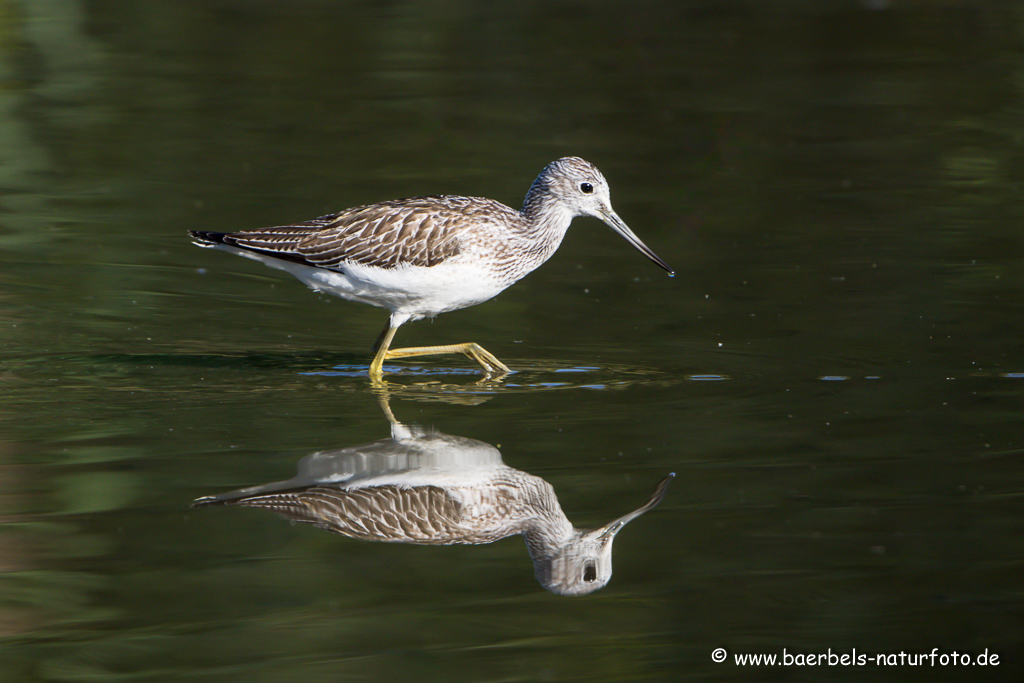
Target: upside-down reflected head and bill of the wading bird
column 584, row 565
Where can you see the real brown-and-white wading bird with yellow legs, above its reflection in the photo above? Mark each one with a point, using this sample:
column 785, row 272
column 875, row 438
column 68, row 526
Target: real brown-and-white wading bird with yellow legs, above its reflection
column 429, row 255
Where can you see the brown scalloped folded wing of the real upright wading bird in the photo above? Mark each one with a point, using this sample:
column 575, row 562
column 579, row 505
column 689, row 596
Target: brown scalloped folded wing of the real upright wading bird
column 422, row 231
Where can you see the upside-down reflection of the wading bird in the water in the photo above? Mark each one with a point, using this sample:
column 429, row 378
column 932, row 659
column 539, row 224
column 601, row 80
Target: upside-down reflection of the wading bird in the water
column 432, row 489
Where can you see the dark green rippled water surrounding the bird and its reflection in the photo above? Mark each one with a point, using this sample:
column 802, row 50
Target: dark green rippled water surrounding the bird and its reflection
column 836, row 375
